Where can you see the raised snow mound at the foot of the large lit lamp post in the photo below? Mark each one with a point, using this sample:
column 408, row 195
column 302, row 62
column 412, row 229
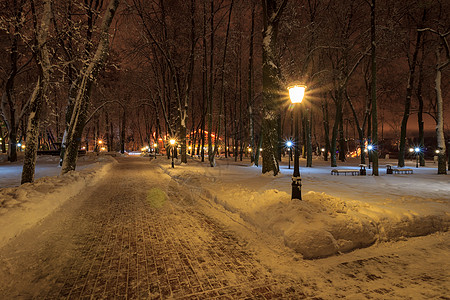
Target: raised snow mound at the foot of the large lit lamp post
column 322, row 225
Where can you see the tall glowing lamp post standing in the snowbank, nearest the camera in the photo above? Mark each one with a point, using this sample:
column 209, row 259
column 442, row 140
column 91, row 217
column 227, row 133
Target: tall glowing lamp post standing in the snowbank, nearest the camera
column 296, row 94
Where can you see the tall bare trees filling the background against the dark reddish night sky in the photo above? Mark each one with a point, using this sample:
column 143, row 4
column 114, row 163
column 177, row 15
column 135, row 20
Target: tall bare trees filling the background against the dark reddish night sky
column 202, row 71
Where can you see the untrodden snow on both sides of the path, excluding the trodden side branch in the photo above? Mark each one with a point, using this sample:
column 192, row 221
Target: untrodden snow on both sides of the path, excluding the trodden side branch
column 337, row 214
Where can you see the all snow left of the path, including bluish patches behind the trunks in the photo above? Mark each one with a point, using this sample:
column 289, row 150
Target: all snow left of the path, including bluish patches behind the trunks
column 23, row 206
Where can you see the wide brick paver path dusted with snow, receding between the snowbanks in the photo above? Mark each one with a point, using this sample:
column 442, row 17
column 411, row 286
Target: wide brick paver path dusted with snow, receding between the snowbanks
column 123, row 239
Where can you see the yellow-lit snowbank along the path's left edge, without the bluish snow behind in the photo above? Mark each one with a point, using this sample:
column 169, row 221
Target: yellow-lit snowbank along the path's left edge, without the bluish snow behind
column 22, row 207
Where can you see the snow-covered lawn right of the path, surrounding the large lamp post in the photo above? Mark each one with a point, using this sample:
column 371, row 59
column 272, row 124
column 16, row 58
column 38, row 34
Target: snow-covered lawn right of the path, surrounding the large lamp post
column 337, row 214
